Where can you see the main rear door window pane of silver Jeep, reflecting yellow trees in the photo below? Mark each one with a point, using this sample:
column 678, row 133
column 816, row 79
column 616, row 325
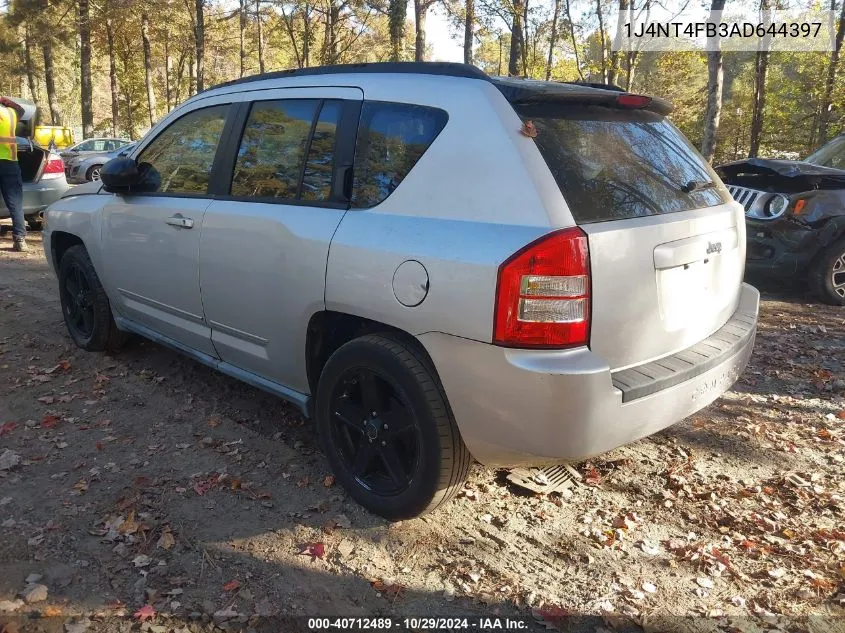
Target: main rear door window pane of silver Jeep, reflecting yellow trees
column 272, row 151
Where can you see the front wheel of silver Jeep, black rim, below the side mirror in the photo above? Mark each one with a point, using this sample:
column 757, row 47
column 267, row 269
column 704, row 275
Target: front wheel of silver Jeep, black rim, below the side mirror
column 85, row 306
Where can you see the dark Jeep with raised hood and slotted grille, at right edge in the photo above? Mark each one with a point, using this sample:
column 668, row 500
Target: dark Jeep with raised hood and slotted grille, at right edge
column 795, row 217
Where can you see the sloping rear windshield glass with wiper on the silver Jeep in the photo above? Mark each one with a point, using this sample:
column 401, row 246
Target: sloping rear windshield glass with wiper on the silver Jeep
column 617, row 164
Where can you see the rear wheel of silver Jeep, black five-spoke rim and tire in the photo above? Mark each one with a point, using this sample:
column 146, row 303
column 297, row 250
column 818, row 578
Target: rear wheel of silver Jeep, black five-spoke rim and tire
column 414, row 402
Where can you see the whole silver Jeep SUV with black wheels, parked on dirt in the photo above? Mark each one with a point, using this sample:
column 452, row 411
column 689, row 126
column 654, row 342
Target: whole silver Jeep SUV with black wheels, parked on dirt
column 433, row 264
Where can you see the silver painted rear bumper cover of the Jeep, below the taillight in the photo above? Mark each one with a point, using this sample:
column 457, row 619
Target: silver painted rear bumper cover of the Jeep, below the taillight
column 521, row 408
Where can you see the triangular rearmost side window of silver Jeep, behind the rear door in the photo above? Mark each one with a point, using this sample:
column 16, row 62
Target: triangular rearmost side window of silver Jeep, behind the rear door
column 392, row 137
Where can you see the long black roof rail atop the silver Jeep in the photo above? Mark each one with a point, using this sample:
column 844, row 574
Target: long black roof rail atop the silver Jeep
column 420, row 68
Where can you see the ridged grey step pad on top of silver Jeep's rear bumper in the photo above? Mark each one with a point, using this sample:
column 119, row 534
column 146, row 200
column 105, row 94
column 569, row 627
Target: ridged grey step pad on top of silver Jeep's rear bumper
column 648, row 378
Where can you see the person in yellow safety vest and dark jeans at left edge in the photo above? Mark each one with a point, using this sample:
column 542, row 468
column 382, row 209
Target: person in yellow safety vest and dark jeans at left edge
column 11, row 183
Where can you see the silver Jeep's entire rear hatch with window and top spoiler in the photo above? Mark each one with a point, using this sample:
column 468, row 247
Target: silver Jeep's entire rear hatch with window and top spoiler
column 666, row 241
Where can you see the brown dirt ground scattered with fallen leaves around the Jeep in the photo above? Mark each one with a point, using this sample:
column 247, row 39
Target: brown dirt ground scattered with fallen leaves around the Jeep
column 152, row 493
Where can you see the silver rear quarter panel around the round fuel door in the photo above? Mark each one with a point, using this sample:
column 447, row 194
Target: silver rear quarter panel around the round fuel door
column 480, row 193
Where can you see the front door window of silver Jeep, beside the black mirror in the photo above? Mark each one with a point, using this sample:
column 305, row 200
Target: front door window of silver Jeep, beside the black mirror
column 179, row 160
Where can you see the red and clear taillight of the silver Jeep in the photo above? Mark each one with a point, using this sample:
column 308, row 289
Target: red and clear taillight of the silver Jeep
column 543, row 293
